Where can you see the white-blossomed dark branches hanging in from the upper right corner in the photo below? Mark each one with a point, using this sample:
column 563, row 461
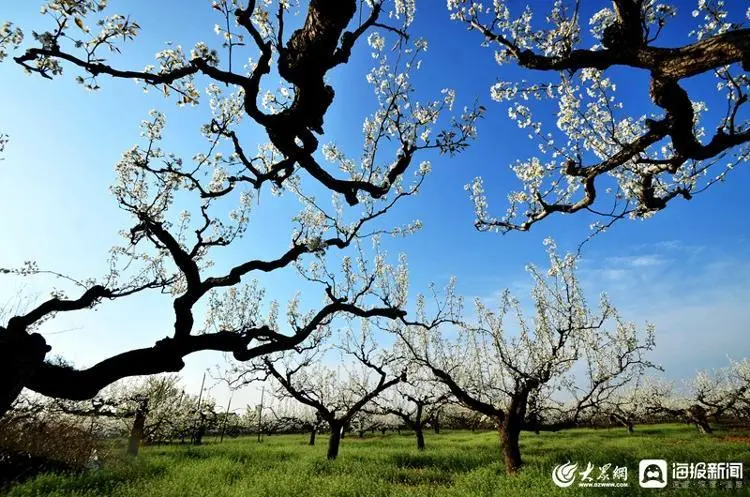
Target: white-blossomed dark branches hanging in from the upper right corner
column 597, row 154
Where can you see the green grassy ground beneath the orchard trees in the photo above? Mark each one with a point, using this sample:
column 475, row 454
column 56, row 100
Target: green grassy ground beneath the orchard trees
column 454, row 464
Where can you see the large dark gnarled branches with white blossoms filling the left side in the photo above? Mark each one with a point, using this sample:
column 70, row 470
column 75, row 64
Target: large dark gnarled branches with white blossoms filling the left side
column 185, row 210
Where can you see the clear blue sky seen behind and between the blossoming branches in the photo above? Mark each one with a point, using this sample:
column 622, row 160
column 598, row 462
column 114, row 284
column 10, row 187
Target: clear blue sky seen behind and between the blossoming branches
column 686, row 269
